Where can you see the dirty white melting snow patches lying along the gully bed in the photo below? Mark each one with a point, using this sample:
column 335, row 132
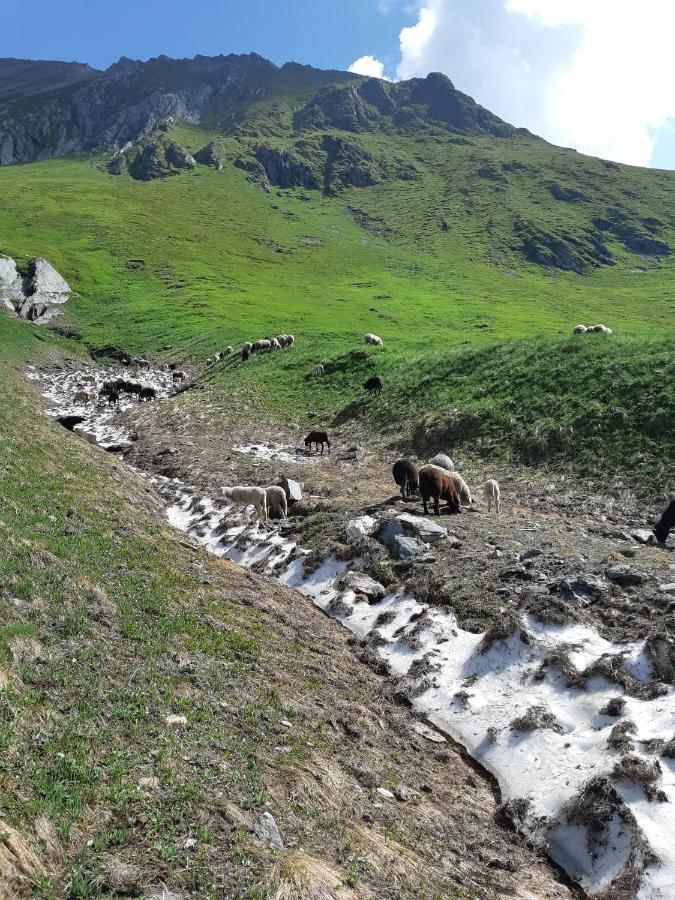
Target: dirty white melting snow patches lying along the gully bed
column 578, row 732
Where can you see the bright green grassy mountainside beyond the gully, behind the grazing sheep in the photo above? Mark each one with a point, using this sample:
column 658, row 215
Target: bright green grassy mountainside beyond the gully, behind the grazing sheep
column 180, row 267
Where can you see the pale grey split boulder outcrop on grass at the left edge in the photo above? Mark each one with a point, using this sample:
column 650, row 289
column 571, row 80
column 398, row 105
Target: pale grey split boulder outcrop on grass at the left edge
column 37, row 296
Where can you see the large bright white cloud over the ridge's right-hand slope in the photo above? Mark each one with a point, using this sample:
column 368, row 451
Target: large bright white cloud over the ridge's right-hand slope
column 594, row 74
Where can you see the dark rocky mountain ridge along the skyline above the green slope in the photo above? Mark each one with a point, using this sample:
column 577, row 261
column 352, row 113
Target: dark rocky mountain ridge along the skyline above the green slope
column 56, row 109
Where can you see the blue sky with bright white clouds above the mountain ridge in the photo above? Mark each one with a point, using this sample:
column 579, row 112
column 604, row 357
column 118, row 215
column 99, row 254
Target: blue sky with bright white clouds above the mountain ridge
column 597, row 75
